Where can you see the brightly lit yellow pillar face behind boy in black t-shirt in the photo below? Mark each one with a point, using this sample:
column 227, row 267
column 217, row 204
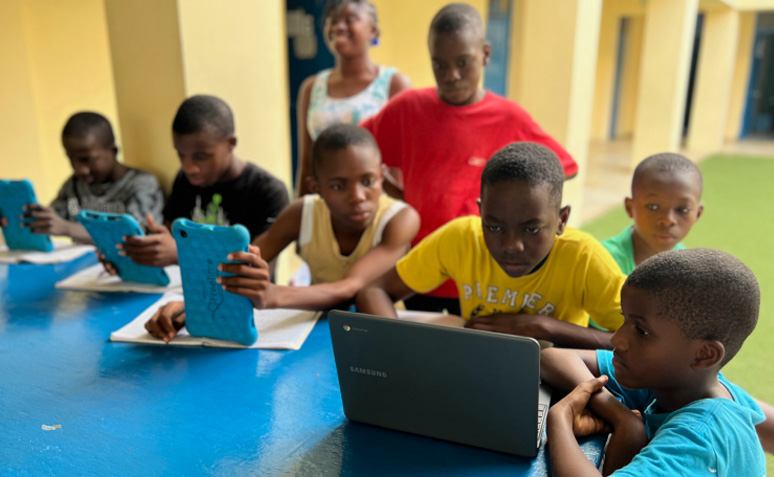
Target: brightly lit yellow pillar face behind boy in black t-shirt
column 236, row 50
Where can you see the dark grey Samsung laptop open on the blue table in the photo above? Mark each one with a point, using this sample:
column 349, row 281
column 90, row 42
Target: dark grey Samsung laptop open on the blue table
column 472, row 387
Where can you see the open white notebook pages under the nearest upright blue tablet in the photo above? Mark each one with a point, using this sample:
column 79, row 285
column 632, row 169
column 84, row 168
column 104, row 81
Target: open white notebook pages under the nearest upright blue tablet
column 277, row 329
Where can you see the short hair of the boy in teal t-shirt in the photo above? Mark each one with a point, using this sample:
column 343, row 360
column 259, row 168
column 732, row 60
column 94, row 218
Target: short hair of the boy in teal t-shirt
column 710, row 294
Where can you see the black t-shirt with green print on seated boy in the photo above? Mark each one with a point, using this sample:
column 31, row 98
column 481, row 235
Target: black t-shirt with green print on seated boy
column 253, row 199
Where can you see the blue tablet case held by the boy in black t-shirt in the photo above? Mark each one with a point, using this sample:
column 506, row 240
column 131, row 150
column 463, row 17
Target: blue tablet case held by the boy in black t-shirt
column 106, row 230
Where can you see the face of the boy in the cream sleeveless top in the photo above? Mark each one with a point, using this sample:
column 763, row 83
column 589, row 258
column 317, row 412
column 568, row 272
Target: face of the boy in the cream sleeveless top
column 350, row 182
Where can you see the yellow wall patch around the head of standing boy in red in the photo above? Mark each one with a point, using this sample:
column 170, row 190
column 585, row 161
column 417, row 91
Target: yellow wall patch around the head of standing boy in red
column 403, row 43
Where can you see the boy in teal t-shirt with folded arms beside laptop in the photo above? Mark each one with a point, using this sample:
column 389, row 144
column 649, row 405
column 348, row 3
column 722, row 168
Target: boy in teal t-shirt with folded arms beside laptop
column 686, row 314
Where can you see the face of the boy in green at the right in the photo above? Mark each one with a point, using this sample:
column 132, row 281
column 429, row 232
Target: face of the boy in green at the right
column 664, row 207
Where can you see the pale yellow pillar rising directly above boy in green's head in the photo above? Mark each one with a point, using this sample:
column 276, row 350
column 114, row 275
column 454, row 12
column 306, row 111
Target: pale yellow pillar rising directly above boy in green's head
column 666, row 59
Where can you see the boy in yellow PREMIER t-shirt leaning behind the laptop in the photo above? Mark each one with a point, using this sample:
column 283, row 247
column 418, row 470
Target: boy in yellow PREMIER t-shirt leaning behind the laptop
column 518, row 268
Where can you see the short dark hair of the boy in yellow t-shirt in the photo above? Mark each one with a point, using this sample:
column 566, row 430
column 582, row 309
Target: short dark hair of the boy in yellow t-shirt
column 528, row 162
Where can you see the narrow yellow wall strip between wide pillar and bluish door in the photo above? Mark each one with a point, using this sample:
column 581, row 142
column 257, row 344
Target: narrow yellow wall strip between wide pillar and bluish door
column 607, row 61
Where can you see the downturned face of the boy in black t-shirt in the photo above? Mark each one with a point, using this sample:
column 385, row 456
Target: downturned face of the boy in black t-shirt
column 204, row 159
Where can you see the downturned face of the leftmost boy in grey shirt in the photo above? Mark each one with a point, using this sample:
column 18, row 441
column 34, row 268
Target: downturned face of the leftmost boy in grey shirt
column 92, row 162
